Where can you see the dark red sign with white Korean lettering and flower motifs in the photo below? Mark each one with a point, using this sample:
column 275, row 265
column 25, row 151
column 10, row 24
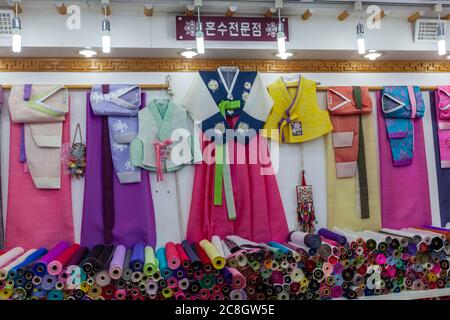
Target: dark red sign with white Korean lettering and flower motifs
column 231, row 28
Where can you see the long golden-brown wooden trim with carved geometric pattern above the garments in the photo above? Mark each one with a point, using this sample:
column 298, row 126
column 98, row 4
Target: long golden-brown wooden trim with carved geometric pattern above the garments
column 184, row 65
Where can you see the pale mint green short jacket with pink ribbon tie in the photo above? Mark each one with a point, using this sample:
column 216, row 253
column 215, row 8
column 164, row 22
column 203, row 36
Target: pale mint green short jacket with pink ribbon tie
column 163, row 127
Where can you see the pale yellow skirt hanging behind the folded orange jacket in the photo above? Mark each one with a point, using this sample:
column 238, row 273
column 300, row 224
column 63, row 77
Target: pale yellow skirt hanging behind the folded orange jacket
column 343, row 194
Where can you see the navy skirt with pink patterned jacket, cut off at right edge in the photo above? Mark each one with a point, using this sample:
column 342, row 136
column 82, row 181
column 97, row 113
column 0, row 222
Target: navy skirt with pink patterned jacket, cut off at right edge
column 441, row 145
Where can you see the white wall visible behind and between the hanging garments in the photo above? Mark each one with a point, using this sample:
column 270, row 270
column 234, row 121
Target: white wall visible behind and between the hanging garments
column 164, row 193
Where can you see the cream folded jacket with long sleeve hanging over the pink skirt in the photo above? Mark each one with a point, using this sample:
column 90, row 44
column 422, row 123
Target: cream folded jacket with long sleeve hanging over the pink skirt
column 42, row 109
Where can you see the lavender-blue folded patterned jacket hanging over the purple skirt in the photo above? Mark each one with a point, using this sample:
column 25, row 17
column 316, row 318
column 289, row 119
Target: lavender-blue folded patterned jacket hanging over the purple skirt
column 120, row 103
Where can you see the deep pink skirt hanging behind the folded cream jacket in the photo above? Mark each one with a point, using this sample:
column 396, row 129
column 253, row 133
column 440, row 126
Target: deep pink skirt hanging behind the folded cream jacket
column 36, row 217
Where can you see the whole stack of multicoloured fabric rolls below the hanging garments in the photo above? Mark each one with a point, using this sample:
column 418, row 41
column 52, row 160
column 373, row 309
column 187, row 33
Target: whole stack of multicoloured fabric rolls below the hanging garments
column 330, row 264
